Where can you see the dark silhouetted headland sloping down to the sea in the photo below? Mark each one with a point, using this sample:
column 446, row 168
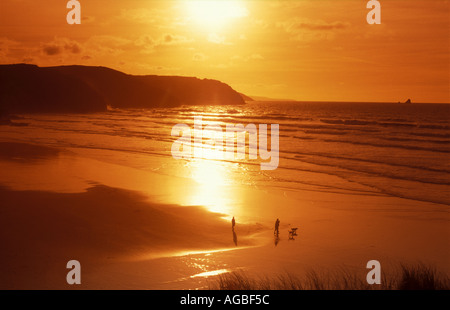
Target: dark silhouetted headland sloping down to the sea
column 82, row 89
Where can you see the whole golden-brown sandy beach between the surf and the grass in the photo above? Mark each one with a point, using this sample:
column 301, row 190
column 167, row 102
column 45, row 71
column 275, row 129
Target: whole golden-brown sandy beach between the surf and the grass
column 134, row 229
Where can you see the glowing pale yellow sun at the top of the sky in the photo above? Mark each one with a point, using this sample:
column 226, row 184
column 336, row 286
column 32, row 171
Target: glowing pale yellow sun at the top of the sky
column 215, row 13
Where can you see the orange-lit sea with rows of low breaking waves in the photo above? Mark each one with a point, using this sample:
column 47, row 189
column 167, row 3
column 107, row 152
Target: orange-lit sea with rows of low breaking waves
column 390, row 149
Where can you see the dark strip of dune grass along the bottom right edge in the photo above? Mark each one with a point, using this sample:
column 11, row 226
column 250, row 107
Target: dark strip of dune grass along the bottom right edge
column 405, row 277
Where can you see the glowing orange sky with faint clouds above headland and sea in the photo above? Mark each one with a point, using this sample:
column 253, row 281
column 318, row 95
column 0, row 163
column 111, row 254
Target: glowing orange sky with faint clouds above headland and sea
column 303, row 50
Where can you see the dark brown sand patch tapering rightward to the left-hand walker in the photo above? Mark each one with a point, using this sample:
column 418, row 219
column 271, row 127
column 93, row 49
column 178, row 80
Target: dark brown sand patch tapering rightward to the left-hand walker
column 41, row 231
